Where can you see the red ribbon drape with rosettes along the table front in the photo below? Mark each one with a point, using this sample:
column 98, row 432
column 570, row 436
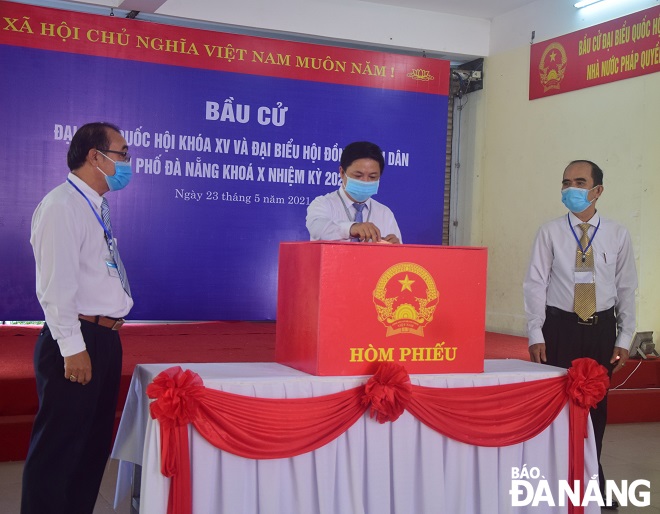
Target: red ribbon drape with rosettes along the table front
column 267, row 428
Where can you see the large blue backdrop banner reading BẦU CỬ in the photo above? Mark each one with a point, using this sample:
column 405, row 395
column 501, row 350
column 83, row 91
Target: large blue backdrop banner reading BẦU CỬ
column 225, row 165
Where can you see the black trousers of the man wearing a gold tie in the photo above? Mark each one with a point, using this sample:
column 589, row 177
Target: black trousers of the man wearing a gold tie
column 566, row 340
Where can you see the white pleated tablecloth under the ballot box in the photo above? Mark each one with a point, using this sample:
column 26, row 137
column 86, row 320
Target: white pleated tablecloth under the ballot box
column 393, row 468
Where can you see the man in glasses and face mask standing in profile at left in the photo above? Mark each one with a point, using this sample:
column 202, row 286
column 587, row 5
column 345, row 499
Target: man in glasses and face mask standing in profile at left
column 84, row 292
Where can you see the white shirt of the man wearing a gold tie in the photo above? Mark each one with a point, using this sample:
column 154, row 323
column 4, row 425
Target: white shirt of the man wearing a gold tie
column 550, row 278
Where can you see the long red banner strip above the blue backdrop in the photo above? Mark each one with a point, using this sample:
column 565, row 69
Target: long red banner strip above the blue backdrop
column 64, row 31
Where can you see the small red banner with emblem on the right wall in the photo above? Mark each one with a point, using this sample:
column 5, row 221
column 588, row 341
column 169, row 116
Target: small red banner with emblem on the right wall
column 619, row 49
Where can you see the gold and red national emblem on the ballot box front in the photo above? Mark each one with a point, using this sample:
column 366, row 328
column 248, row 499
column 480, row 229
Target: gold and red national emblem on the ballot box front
column 405, row 298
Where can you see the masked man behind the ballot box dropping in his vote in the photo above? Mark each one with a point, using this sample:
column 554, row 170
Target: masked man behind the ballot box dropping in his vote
column 349, row 213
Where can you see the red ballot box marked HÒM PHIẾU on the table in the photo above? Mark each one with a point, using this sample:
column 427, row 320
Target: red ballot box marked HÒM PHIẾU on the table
column 343, row 308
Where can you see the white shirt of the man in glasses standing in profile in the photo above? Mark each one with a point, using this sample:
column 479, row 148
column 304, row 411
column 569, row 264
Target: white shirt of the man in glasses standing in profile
column 71, row 261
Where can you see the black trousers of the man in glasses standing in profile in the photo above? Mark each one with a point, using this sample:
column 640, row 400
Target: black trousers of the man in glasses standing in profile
column 72, row 433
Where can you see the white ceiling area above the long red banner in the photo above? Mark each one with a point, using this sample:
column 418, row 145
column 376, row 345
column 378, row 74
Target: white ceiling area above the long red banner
column 456, row 30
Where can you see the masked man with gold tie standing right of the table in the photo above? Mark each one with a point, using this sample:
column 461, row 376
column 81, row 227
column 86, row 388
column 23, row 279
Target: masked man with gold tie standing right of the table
column 564, row 270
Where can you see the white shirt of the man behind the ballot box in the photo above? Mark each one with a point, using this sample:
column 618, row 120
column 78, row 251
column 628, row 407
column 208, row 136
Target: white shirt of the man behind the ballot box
column 330, row 217
